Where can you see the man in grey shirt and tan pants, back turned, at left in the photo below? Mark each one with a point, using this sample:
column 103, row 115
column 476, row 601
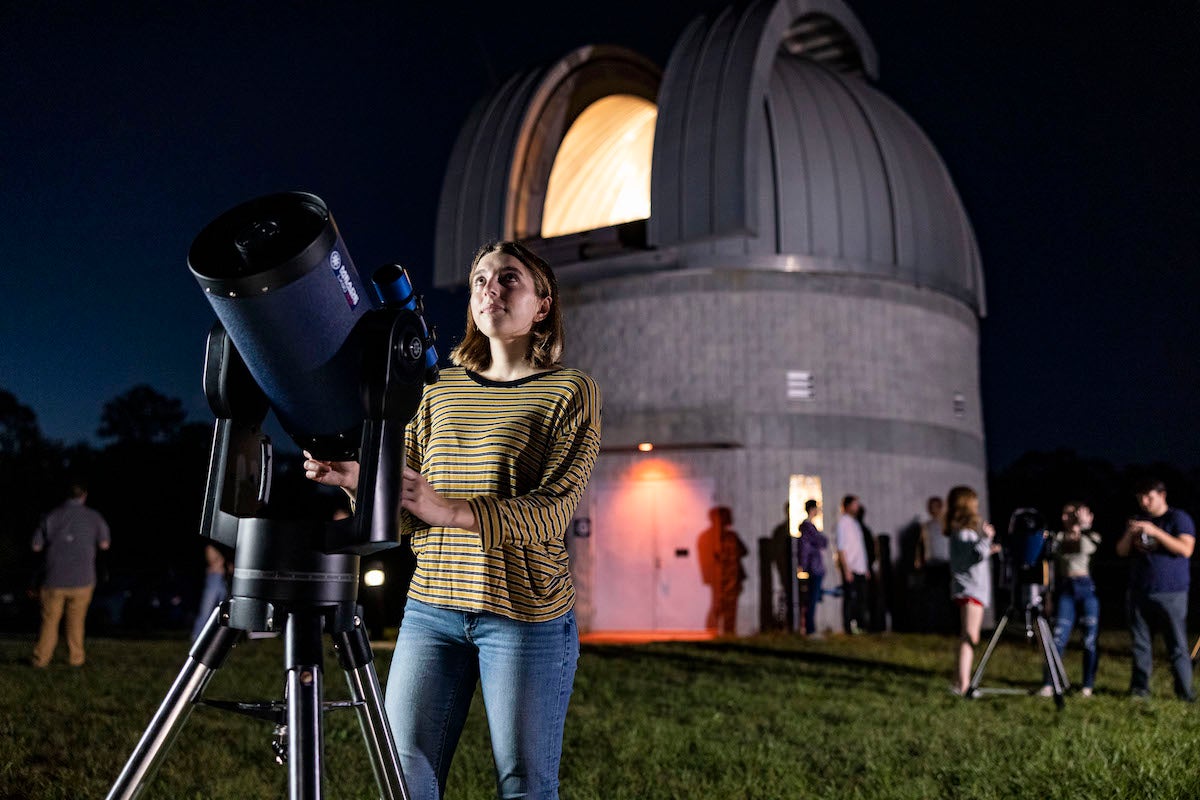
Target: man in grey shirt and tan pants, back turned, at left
column 70, row 537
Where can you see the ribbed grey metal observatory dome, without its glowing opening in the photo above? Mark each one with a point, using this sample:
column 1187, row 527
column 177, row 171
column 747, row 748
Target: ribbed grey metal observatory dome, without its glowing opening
column 770, row 143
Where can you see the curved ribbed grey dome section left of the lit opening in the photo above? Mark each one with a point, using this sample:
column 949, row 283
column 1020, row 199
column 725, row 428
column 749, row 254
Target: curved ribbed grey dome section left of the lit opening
column 475, row 193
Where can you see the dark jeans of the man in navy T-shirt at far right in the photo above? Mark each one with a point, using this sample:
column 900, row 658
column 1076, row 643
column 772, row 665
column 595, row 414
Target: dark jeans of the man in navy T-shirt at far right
column 1168, row 613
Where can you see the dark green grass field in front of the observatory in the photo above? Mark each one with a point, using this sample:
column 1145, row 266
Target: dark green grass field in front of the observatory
column 758, row 718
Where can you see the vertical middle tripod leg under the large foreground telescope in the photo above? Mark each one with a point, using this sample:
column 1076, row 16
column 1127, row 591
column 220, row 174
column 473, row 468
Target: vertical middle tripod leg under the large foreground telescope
column 305, row 689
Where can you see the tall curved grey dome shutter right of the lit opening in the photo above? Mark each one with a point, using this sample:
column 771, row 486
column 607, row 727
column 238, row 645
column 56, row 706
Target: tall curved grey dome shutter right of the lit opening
column 711, row 127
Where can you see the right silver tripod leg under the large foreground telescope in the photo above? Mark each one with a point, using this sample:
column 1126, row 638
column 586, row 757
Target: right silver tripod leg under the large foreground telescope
column 355, row 654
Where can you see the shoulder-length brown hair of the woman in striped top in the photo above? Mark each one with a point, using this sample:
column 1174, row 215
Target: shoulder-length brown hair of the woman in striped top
column 547, row 340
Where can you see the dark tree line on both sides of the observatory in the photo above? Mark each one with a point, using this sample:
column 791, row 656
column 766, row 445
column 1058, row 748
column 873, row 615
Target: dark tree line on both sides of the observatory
column 148, row 479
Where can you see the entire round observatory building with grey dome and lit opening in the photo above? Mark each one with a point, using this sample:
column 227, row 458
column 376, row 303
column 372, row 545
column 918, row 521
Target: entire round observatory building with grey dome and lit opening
column 769, row 272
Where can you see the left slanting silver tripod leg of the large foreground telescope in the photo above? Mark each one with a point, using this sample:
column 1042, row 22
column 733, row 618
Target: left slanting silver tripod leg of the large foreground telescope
column 203, row 660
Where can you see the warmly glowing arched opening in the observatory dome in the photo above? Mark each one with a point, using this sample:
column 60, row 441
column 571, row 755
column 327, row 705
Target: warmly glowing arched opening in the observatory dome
column 602, row 173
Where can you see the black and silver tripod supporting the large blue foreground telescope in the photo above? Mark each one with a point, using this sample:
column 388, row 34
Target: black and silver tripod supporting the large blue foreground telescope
column 311, row 594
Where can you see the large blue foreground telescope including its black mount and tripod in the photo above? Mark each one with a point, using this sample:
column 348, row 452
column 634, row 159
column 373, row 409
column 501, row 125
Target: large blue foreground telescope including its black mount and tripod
column 344, row 365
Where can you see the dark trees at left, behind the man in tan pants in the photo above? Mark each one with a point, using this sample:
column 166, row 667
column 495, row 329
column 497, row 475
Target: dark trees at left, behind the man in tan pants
column 147, row 478
